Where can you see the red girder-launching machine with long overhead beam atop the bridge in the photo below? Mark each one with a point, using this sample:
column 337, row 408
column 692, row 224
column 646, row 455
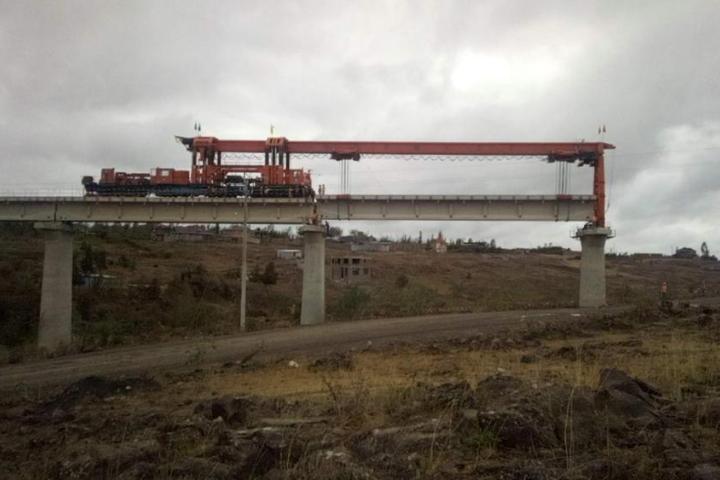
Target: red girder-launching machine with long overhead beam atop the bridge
column 211, row 174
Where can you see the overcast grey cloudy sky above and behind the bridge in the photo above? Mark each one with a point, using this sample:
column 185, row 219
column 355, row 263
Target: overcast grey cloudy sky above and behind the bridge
column 87, row 84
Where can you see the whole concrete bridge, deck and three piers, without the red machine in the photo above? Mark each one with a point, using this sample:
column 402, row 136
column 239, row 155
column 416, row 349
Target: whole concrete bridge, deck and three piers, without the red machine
column 56, row 215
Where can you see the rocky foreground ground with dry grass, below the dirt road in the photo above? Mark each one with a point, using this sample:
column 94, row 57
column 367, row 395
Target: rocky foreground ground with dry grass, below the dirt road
column 632, row 396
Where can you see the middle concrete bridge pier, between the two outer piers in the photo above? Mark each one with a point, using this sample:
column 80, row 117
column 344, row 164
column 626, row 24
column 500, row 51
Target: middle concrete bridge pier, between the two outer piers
column 313, row 301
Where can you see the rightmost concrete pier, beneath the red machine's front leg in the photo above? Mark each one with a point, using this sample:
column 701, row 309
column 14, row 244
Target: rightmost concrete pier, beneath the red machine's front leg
column 592, row 265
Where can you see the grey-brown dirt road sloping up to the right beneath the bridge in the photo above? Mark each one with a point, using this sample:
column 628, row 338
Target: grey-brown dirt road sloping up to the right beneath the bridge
column 302, row 340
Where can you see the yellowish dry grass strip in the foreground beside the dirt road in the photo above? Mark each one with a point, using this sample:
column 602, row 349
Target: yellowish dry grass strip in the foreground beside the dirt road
column 670, row 359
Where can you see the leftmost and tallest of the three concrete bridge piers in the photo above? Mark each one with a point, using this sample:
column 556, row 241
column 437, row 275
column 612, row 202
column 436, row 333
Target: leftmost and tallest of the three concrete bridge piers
column 55, row 327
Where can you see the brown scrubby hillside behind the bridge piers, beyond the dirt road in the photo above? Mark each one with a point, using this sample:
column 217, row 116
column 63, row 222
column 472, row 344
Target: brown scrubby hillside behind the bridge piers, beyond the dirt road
column 153, row 290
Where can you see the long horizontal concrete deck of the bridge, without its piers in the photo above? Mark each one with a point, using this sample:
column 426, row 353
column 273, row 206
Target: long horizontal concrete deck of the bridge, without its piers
column 297, row 211
